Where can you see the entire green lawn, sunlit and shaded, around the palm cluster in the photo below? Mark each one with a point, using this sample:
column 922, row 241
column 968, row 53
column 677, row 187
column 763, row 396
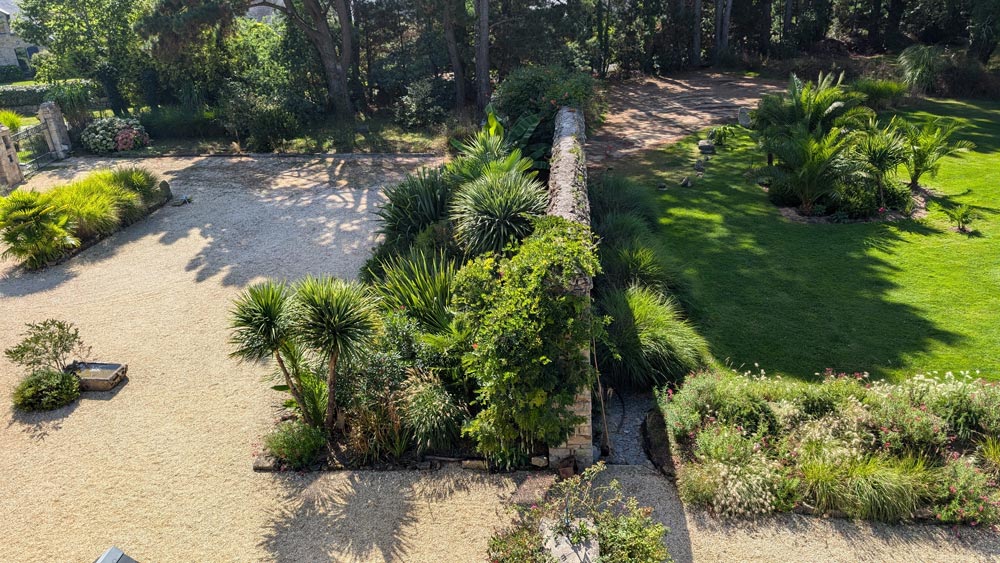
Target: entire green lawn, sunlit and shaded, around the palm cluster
column 893, row 299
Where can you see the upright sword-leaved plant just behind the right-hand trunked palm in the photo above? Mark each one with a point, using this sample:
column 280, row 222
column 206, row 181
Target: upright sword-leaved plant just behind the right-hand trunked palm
column 420, row 285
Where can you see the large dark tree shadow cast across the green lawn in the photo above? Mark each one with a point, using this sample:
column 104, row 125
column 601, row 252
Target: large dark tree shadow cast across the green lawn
column 793, row 298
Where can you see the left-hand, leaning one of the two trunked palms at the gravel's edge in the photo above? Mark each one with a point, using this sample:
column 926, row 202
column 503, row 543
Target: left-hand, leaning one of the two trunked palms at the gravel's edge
column 262, row 330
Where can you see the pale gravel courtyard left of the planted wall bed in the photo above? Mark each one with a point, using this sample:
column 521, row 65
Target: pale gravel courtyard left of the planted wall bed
column 161, row 466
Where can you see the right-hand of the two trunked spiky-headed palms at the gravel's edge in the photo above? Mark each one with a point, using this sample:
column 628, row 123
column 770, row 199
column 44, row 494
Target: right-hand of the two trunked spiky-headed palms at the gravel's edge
column 336, row 318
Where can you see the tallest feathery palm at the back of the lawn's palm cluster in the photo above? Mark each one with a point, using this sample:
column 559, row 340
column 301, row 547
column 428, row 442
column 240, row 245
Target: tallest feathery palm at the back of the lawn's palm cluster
column 817, row 107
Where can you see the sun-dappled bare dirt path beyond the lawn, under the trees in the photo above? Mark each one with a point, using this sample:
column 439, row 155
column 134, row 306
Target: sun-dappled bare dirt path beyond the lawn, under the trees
column 650, row 111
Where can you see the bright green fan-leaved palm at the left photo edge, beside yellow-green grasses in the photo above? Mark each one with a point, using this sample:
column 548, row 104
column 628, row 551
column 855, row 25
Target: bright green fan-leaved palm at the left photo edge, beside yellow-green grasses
column 34, row 229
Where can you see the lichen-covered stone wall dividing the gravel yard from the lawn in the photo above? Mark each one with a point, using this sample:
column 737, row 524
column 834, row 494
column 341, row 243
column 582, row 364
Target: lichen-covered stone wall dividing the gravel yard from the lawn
column 568, row 199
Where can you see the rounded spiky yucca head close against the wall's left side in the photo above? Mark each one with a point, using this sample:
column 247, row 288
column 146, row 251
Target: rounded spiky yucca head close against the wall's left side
column 496, row 209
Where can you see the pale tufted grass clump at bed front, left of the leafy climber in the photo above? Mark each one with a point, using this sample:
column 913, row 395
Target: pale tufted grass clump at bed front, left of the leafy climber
column 431, row 412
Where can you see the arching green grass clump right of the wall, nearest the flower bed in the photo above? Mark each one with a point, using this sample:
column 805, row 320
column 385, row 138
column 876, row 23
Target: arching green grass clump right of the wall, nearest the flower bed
column 648, row 340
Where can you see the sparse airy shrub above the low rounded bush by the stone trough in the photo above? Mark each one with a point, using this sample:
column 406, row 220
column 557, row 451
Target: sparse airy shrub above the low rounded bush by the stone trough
column 48, row 345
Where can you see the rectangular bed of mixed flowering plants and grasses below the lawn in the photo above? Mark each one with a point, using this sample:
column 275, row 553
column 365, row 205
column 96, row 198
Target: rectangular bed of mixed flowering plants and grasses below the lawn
column 752, row 444
